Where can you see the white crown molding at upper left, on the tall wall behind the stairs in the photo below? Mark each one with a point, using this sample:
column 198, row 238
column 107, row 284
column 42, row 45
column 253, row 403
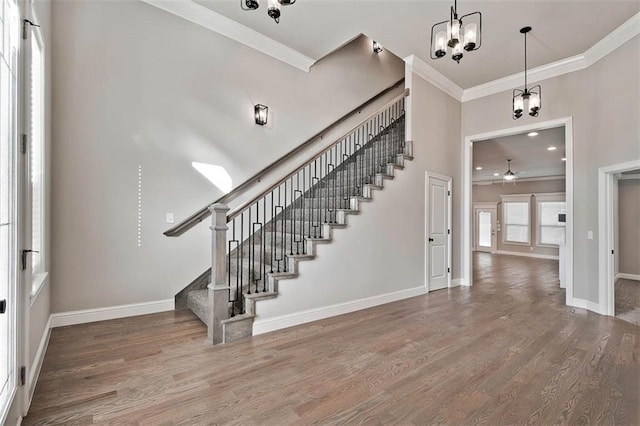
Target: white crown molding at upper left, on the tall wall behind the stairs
column 207, row 18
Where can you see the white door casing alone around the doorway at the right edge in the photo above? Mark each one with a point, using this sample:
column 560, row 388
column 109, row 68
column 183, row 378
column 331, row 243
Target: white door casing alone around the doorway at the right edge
column 607, row 225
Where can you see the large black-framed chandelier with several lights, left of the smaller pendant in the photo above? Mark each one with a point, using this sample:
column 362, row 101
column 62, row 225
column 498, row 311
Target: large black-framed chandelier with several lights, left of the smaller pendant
column 453, row 34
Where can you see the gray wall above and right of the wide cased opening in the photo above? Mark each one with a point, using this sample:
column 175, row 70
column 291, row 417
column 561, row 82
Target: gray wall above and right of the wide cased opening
column 603, row 100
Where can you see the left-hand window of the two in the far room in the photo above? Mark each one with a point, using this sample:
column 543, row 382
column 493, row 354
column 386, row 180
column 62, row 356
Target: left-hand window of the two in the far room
column 515, row 219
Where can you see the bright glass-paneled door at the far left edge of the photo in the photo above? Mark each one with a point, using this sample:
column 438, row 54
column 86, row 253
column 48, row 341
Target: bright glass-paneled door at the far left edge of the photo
column 9, row 42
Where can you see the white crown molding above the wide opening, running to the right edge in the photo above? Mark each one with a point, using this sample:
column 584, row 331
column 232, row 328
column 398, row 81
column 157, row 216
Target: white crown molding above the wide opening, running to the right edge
column 608, row 44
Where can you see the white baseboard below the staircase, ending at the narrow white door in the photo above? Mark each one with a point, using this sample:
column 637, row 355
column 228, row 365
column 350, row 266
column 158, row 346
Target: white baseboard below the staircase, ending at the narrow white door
column 297, row 318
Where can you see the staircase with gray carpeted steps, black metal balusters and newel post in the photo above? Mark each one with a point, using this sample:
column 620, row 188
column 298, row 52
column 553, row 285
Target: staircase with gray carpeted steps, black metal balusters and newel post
column 261, row 242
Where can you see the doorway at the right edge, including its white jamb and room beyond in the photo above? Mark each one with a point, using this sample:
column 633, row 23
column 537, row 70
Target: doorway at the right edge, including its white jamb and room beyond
column 619, row 228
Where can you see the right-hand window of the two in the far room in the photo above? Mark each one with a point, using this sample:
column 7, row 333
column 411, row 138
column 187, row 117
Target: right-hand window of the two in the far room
column 550, row 231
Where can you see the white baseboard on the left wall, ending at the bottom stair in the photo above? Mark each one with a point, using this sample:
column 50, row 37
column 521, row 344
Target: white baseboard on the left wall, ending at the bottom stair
column 62, row 319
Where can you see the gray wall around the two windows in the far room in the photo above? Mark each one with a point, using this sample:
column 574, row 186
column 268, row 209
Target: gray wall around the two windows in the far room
column 491, row 193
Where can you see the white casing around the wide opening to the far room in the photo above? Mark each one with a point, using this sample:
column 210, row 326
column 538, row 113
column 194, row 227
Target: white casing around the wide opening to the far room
column 467, row 202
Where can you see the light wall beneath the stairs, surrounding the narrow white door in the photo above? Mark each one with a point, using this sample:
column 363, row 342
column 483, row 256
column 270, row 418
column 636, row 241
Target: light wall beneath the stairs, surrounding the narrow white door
column 382, row 251
